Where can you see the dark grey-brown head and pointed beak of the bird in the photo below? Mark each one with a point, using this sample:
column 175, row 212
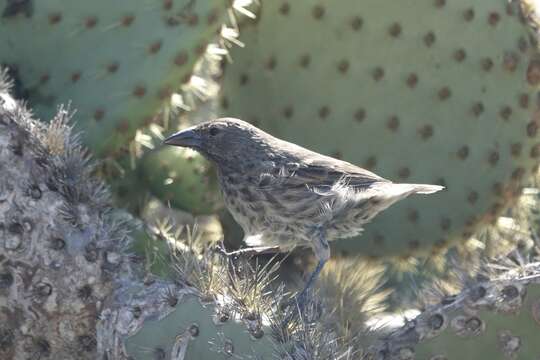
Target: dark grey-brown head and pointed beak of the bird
column 223, row 140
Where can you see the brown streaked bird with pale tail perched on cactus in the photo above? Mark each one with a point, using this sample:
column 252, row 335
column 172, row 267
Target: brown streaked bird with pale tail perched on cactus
column 284, row 195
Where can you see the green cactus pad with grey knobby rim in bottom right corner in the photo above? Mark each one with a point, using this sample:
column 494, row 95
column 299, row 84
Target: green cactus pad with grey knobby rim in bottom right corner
column 491, row 319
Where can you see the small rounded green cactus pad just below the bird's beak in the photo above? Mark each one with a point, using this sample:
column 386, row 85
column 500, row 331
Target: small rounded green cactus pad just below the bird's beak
column 182, row 178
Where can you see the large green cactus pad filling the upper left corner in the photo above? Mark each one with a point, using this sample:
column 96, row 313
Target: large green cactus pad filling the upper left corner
column 118, row 62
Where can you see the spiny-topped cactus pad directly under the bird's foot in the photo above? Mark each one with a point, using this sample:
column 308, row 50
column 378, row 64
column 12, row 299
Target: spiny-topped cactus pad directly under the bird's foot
column 216, row 308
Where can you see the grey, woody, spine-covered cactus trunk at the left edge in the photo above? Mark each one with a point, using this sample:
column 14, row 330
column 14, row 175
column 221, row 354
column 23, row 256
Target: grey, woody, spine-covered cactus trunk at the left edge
column 60, row 245
